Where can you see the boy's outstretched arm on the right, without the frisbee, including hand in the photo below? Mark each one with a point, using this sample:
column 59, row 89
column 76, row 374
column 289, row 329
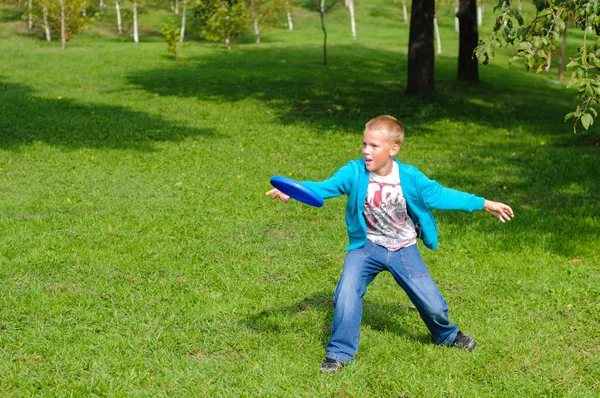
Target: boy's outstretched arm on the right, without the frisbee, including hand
column 438, row 197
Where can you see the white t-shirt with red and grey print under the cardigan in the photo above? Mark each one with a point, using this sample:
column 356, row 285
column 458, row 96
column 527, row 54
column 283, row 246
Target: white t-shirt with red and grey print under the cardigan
column 388, row 223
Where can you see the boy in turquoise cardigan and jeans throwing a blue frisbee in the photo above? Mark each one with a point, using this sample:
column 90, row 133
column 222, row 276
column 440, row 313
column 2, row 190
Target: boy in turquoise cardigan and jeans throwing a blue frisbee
column 388, row 208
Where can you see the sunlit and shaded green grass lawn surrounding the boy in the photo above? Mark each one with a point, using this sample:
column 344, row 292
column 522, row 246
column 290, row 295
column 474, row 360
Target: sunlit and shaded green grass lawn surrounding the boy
column 139, row 256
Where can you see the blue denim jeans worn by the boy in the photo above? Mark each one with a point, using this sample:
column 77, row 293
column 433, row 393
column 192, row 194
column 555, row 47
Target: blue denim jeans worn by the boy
column 408, row 269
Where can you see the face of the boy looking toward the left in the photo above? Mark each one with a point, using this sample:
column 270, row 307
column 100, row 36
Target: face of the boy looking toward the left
column 379, row 152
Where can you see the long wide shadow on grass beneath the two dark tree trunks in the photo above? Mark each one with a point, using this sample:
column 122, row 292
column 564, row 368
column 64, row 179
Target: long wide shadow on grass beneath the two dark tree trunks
column 358, row 83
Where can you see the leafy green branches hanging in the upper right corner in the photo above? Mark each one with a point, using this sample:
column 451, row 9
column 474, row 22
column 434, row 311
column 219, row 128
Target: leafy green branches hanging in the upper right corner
column 535, row 41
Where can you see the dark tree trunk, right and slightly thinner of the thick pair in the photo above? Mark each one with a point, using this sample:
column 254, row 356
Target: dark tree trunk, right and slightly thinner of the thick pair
column 468, row 68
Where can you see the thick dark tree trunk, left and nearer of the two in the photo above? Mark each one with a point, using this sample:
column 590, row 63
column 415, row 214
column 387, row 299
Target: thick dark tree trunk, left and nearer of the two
column 421, row 55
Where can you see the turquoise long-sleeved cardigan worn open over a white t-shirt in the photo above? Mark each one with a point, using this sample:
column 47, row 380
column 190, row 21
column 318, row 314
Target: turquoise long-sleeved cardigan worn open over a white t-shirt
column 421, row 193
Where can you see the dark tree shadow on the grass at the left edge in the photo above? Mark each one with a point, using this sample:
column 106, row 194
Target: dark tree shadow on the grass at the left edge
column 65, row 123
